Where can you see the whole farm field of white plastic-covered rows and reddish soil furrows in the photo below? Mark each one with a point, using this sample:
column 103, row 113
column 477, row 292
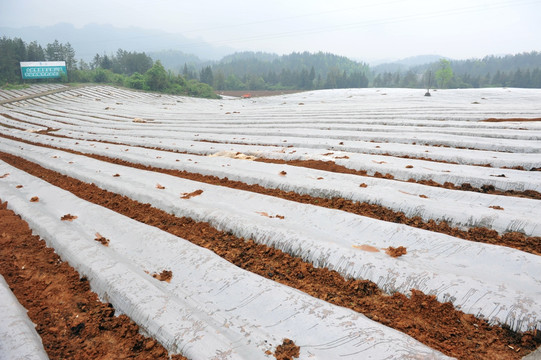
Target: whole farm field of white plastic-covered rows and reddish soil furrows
column 332, row 224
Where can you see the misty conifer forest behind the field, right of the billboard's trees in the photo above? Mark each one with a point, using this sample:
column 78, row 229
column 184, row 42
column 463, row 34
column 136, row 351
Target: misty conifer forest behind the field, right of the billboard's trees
column 306, row 71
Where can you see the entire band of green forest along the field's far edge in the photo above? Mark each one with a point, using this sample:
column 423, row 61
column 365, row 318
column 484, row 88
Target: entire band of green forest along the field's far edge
column 265, row 71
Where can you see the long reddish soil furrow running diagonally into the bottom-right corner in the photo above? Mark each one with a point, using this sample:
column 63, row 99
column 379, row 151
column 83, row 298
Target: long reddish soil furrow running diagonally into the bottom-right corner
column 426, row 321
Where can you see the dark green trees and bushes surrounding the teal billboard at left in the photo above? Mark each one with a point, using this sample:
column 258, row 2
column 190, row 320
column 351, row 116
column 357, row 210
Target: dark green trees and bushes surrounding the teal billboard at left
column 131, row 69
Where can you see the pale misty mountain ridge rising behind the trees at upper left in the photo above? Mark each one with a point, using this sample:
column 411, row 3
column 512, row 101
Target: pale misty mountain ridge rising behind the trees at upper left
column 98, row 39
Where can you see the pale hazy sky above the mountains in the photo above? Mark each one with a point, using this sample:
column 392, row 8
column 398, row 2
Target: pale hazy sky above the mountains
column 360, row 29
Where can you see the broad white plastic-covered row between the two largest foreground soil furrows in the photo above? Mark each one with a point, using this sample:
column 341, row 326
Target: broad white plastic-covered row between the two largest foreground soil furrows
column 211, row 308
